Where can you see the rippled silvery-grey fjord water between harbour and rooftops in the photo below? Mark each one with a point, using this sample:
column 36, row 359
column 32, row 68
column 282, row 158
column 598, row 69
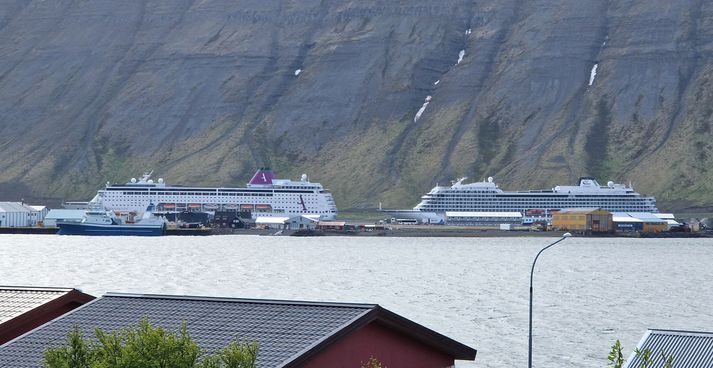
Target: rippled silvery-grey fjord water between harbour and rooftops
column 588, row 291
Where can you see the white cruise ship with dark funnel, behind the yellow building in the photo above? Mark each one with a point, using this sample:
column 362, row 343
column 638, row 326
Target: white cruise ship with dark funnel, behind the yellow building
column 534, row 205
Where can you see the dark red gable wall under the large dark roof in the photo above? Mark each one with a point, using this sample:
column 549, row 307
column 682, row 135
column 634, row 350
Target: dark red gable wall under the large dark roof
column 393, row 350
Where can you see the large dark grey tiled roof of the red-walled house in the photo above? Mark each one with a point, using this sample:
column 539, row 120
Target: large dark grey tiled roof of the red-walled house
column 287, row 332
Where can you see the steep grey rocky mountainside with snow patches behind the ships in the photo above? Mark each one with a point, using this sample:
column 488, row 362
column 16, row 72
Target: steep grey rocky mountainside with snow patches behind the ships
column 376, row 100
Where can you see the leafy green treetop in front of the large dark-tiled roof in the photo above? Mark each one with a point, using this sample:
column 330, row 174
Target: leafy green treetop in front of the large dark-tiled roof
column 146, row 346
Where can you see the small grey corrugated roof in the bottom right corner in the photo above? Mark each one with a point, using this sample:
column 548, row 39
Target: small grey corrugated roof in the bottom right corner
column 688, row 348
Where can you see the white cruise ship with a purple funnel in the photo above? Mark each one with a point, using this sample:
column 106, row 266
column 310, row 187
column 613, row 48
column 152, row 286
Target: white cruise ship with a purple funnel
column 264, row 195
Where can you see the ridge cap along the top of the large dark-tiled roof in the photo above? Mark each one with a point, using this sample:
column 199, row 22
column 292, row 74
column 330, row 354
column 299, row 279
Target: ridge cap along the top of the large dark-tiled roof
column 240, row 300
